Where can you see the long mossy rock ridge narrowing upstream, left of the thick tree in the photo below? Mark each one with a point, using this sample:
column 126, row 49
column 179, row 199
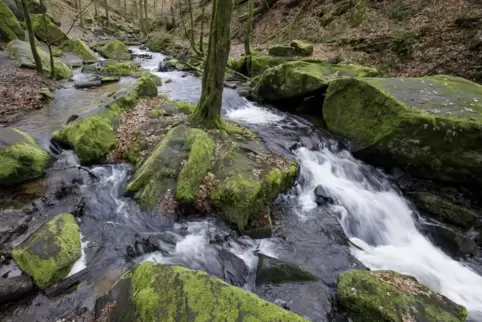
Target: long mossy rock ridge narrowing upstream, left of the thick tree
column 94, row 136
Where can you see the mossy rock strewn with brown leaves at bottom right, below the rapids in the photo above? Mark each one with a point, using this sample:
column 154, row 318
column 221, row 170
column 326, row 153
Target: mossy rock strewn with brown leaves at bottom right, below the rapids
column 386, row 296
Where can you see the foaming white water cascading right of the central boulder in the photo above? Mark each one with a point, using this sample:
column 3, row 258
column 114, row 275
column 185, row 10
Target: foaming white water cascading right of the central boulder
column 376, row 218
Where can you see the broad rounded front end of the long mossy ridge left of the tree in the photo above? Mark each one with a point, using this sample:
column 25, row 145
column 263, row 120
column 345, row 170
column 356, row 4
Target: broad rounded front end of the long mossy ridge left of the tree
column 91, row 138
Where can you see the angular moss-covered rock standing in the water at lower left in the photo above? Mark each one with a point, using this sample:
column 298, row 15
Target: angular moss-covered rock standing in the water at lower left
column 49, row 254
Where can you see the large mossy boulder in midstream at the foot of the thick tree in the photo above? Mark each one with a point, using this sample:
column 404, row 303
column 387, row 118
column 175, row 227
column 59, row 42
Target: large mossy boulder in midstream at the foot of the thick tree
column 239, row 179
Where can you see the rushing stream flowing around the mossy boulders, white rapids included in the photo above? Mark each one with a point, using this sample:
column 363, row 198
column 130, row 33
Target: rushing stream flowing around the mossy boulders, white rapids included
column 368, row 209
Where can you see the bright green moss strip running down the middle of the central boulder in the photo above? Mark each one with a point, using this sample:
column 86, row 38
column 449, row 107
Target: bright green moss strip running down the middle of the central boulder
column 198, row 164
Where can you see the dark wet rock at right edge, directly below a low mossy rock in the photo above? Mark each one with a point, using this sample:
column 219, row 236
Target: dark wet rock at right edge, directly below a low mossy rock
column 453, row 243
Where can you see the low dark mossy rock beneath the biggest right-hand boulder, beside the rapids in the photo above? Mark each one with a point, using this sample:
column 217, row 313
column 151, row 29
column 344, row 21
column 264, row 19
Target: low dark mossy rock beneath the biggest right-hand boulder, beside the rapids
column 445, row 211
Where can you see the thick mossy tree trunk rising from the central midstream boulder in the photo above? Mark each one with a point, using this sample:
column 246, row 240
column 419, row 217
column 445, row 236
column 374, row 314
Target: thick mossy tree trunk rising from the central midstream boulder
column 208, row 110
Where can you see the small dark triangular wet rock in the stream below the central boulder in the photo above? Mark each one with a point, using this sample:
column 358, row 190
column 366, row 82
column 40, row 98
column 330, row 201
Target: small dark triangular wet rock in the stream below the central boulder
column 275, row 271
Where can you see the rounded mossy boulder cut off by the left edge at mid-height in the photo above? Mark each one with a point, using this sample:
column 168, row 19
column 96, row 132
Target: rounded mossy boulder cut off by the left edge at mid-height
column 21, row 158
